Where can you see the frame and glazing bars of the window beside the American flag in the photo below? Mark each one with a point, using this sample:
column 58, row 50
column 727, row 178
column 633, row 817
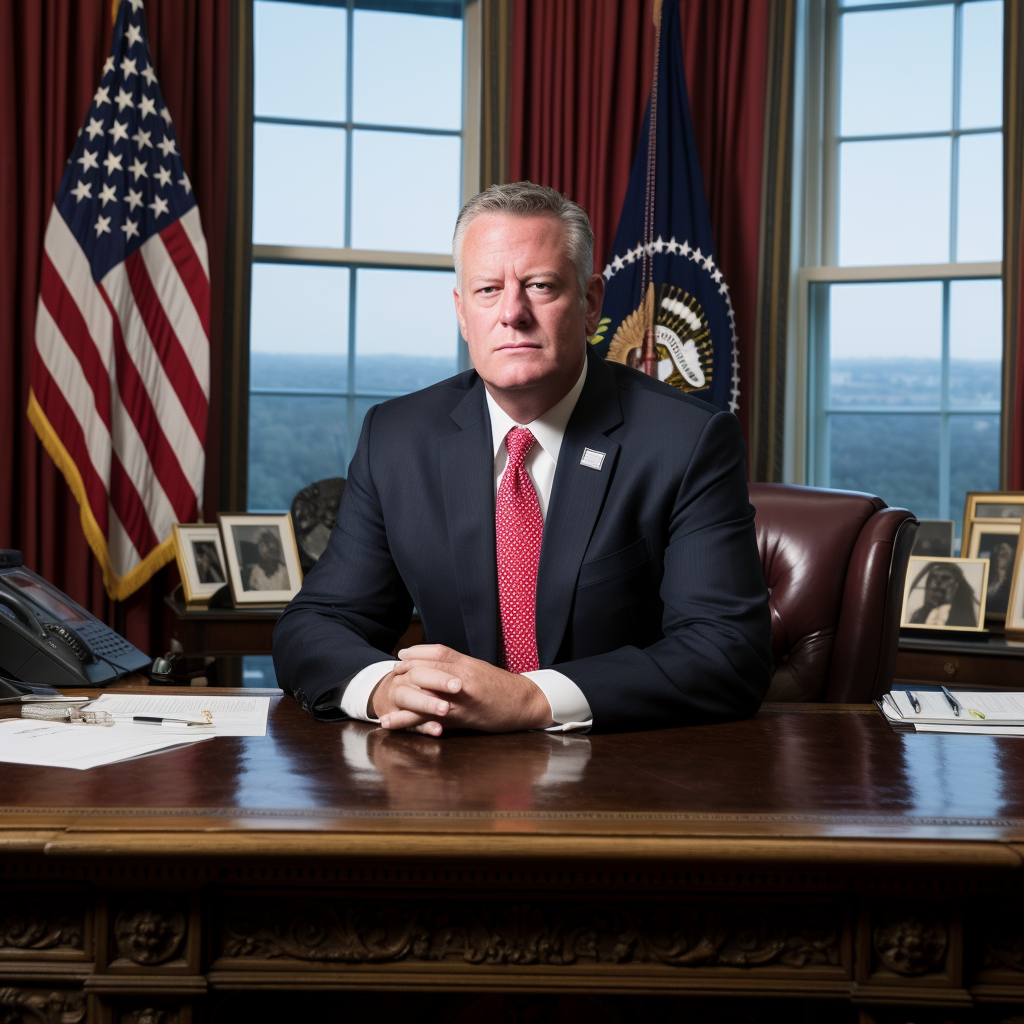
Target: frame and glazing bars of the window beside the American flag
column 360, row 260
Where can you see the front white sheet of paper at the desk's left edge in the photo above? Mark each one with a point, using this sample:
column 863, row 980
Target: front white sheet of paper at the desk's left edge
column 58, row 745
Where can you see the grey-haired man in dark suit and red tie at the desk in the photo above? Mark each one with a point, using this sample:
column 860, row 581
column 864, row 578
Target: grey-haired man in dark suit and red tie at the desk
column 576, row 536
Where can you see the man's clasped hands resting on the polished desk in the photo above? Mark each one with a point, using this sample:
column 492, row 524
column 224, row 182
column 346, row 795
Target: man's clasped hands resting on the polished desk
column 436, row 689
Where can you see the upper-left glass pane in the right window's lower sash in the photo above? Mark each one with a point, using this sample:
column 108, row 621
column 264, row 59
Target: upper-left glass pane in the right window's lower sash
column 885, row 345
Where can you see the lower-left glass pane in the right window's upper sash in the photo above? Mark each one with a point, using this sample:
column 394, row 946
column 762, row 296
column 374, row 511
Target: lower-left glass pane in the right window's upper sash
column 894, row 202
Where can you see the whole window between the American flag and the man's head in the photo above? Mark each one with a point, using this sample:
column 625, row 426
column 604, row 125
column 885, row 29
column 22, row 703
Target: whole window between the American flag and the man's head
column 358, row 178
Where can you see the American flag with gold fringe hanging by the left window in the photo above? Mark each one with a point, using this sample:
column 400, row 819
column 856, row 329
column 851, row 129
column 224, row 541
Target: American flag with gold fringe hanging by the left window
column 121, row 369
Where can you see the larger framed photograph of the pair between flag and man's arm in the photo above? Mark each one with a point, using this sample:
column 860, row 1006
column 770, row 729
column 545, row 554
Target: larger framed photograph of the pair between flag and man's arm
column 263, row 559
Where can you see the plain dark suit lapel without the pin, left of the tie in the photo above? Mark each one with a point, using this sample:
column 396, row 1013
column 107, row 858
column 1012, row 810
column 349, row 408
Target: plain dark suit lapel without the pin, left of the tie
column 468, row 485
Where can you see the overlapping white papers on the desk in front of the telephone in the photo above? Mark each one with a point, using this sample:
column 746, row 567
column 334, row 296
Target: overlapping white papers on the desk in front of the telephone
column 61, row 745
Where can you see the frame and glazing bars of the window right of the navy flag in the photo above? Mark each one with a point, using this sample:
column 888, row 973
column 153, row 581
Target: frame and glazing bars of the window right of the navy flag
column 819, row 50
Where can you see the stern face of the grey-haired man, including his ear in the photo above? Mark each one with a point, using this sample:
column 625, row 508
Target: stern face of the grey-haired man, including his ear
column 520, row 308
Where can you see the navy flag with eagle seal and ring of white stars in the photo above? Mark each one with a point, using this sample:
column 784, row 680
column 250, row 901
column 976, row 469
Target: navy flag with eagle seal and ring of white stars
column 667, row 309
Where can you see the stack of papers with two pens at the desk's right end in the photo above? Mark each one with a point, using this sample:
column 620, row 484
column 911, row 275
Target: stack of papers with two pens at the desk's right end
column 983, row 713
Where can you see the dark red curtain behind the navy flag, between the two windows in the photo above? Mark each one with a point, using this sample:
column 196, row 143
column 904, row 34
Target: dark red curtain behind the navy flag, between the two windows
column 581, row 74
